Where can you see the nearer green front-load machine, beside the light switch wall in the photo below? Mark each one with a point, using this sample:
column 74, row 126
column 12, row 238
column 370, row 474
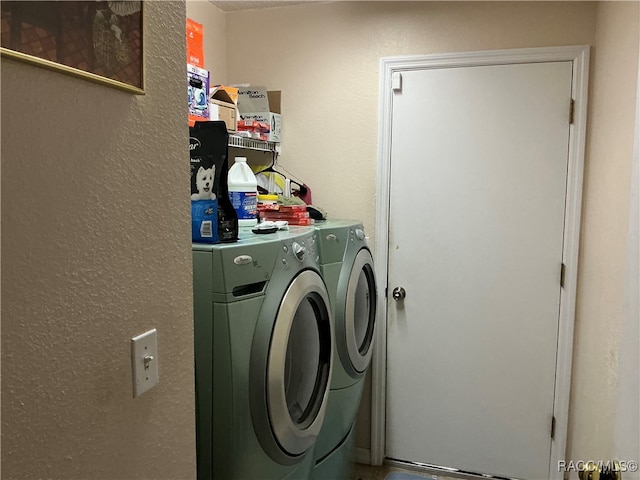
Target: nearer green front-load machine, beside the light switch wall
column 263, row 355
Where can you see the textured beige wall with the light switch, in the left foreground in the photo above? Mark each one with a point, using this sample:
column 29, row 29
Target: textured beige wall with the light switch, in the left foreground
column 96, row 249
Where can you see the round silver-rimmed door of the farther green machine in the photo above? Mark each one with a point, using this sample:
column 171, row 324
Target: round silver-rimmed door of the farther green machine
column 356, row 322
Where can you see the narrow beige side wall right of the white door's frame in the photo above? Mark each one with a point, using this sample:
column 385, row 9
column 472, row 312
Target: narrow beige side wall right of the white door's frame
column 603, row 246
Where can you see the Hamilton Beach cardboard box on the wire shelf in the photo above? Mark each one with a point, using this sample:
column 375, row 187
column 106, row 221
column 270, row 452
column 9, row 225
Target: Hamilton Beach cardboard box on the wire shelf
column 256, row 103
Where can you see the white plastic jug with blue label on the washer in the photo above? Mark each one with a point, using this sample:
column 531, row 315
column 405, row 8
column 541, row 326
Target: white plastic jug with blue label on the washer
column 243, row 192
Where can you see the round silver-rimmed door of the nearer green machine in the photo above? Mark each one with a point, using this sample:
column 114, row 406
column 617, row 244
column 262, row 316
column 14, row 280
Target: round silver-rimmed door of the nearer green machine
column 292, row 387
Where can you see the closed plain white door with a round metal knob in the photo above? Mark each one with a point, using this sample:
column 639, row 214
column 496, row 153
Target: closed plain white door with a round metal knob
column 476, row 217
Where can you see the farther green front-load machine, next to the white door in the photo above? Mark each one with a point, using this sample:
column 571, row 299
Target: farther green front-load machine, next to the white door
column 346, row 264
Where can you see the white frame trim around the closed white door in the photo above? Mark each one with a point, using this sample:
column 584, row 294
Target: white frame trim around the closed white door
column 390, row 76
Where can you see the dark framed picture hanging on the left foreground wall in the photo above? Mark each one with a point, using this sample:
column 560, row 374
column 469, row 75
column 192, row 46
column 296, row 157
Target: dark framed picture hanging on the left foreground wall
column 101, row 41
